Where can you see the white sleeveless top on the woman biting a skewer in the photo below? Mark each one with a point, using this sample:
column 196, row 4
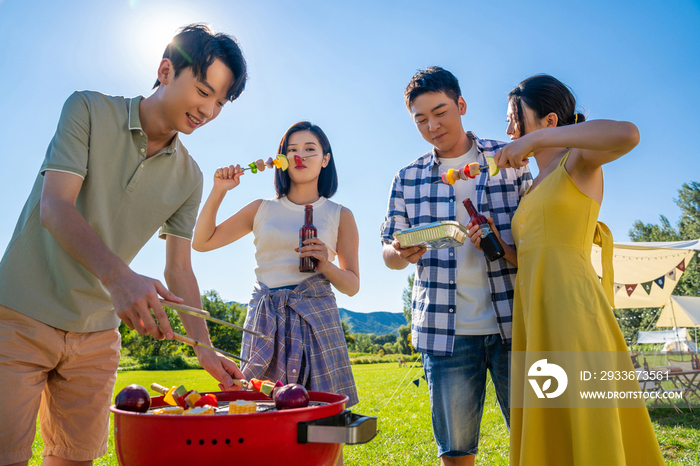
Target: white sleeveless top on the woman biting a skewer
column 276, row 229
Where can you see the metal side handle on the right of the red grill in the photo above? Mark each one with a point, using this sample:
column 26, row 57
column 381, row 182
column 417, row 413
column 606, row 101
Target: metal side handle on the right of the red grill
column 347, row 427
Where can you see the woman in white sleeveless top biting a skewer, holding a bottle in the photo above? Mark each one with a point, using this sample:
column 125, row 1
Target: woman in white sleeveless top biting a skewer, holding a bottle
column 298, row 310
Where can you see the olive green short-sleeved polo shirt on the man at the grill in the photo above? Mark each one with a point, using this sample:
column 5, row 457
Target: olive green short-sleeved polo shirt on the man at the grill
column 125, row 198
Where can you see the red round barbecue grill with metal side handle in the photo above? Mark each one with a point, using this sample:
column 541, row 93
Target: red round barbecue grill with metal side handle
column 304, row 436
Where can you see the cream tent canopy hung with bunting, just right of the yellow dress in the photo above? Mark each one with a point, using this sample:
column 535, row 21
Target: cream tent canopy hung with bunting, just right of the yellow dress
column 646, row 273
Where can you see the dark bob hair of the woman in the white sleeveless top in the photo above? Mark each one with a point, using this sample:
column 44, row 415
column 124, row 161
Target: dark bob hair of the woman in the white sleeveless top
column 327, row 179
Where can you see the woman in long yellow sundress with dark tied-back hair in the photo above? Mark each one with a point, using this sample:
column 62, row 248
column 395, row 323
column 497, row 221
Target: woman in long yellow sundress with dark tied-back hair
column 561, row 309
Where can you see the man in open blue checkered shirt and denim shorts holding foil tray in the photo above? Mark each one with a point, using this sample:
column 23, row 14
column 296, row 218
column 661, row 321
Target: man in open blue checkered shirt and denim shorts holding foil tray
column 462, row 303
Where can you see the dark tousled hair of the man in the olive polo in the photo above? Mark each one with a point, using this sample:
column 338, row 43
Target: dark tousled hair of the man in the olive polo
column 196, row 46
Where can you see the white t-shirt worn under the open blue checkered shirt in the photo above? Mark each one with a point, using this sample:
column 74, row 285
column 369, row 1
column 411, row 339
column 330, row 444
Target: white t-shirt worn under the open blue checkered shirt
column 475, row 312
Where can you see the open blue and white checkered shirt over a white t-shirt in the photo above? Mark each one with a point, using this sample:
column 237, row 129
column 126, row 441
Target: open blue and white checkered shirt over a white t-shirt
column 416, row 199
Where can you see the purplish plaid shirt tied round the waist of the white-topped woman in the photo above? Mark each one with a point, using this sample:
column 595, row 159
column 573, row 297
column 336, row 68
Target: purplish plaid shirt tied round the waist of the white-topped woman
column 309, row 345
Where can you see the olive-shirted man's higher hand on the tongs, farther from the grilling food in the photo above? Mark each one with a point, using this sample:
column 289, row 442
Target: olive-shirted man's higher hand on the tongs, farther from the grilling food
column 134, row 295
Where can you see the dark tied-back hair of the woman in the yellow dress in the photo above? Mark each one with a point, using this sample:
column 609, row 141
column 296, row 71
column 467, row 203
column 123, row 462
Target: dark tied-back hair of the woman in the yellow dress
column 545, row 94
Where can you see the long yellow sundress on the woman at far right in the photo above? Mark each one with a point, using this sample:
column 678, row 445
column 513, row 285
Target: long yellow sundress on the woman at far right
column 561, row 305
